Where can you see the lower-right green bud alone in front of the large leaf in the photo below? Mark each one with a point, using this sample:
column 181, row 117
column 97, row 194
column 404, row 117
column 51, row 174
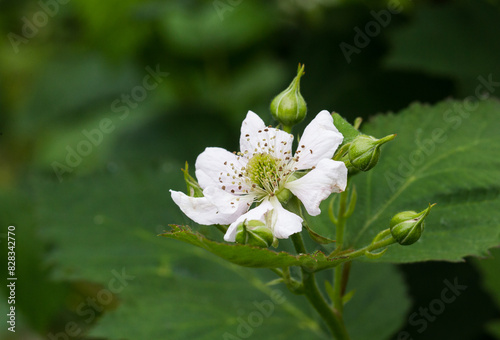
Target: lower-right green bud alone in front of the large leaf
column 407, row 226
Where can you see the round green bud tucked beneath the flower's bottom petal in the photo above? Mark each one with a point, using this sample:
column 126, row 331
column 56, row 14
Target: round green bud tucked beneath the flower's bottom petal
column 255, row 233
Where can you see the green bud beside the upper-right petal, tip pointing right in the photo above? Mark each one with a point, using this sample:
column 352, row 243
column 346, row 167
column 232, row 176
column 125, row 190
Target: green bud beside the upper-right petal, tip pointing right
column 364, row 151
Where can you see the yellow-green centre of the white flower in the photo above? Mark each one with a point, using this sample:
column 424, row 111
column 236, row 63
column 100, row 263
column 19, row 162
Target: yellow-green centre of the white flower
column 266, row 173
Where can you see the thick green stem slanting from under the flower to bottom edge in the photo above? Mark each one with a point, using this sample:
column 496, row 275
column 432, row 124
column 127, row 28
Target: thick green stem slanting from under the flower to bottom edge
column 317, row 300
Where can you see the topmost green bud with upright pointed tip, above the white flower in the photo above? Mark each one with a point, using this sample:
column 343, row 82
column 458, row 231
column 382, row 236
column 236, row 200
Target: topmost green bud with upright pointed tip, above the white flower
column 289, row 107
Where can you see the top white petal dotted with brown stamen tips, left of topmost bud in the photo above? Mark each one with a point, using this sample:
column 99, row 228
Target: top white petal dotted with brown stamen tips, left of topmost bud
column 258, row 138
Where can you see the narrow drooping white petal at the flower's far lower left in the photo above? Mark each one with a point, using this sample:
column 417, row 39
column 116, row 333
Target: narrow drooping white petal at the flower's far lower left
column 201, row 210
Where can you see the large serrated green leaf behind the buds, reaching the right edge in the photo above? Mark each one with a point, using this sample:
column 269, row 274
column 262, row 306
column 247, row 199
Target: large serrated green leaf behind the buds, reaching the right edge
column 445, row 154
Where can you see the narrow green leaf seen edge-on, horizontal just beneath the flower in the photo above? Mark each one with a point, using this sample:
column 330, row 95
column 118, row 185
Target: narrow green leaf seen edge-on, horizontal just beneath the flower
column 249, row 256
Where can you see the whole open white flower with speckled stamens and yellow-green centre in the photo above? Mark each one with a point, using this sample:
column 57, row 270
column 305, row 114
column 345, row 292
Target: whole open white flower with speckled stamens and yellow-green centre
column 265, row 172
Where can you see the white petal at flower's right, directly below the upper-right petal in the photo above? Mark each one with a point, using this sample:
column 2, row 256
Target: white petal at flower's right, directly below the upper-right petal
column 328, row 176
